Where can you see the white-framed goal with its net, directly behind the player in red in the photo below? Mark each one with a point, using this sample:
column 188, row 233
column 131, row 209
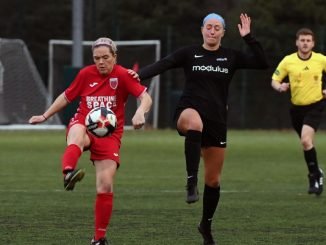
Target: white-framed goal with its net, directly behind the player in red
column 131, row 54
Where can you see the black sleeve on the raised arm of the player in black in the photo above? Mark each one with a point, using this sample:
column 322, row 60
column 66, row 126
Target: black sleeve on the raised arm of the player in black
column 256, row 59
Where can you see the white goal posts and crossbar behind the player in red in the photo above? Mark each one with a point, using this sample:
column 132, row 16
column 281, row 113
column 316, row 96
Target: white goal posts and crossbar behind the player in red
column 153, row 89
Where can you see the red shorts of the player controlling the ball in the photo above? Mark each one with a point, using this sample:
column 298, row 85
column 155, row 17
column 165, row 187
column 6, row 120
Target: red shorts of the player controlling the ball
column 100, row 148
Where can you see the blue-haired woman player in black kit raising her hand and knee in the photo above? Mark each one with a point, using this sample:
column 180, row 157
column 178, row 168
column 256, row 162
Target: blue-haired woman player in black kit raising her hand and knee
column 201, row 114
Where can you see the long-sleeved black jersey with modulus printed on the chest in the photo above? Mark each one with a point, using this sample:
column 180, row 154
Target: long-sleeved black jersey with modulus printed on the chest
column 208, row 75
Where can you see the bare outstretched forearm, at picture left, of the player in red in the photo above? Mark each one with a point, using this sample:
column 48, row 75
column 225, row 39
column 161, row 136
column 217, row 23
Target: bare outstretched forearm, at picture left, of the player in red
column 56, row 106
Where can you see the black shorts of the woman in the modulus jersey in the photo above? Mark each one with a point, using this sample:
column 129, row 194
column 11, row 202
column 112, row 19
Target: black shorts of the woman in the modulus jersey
column 214, row 133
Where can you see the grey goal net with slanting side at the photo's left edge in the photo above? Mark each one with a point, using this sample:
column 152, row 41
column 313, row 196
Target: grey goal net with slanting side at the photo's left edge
column 22, row 91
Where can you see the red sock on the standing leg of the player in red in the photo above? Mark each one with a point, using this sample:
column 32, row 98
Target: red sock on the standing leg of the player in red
column 103, row 211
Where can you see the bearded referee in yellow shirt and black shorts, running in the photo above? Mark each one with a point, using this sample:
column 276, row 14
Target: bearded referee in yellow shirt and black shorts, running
column 305, row 72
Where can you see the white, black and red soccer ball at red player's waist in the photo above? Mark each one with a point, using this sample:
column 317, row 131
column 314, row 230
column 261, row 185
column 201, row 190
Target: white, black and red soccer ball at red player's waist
column 101, row 122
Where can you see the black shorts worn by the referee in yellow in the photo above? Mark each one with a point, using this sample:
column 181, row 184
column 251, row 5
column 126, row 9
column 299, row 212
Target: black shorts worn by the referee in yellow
column 310, row 115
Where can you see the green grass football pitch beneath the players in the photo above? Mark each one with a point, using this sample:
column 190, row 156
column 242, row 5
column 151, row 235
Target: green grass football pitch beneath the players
column 264, row 199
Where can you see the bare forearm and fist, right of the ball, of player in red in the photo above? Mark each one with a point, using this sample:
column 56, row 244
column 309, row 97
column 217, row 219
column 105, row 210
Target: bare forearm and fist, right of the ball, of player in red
column 138, row 119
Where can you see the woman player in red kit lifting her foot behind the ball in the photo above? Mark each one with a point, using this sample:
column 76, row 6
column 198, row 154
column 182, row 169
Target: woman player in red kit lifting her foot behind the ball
column 103, row 84
